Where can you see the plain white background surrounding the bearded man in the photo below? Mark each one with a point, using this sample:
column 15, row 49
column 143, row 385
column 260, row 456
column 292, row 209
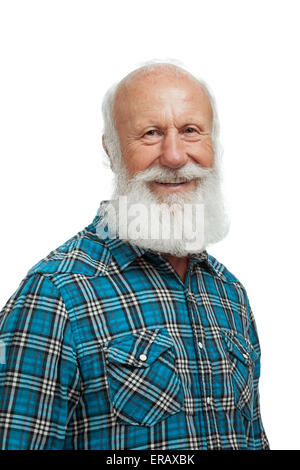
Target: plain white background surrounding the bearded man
column 58, row 58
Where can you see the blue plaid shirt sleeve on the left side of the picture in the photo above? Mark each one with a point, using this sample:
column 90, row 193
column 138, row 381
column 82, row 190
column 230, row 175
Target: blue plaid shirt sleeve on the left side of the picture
column 39, row 375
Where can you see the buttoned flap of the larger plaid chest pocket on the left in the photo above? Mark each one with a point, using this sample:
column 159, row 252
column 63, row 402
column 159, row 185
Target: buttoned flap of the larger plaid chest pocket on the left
column 138, row 349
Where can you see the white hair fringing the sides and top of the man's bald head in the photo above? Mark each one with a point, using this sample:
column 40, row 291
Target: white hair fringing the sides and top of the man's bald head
column 110, row 135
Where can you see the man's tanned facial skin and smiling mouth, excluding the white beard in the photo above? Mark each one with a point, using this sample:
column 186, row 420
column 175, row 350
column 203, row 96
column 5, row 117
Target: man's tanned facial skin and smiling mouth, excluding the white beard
column 164, row 121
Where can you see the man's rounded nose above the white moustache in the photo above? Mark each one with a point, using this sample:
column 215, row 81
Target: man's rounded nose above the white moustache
column 172, row 151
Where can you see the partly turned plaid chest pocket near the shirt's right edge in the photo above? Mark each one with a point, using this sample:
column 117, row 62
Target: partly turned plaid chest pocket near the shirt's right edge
column 242, row 357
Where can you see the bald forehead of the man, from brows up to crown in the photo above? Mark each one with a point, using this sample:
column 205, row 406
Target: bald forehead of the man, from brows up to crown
column 141, row 93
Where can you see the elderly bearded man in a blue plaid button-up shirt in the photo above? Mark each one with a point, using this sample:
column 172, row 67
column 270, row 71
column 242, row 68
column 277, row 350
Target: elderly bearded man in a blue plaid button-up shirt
column 131, row 336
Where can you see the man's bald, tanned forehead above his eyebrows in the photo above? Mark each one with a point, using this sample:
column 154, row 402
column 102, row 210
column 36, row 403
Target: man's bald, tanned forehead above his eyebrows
column 148, row 98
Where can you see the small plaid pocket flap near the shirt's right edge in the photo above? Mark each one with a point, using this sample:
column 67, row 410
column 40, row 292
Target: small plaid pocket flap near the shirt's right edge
column 239, row 346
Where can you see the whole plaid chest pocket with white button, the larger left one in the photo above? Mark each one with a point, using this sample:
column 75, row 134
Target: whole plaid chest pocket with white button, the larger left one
column 143, row 384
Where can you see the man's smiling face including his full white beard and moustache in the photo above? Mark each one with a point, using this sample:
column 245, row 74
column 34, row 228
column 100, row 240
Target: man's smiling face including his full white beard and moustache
column 164, row 125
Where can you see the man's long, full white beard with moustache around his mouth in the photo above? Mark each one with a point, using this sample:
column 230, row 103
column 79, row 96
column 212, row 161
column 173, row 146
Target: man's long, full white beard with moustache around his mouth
column 163, row 223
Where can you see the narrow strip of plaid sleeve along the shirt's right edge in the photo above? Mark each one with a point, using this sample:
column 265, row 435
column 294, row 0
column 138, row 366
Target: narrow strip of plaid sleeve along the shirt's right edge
column 257, row 436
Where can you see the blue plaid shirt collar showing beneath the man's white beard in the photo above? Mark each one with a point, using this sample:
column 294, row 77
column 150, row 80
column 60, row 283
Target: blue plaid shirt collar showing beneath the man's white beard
column 125, row 253
